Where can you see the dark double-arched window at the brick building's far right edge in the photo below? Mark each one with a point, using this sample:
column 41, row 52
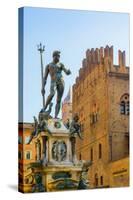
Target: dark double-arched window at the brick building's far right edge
column 124, row 104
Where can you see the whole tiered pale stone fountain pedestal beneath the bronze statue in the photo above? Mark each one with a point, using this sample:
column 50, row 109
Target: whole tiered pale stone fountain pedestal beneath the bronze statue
column 56, row 165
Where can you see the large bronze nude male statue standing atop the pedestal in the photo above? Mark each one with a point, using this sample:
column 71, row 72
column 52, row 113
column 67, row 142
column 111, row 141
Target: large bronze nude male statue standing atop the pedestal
column 54, row 69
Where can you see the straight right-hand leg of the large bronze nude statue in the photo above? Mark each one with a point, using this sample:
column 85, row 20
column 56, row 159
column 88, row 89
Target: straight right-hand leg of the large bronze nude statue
column 60, row 90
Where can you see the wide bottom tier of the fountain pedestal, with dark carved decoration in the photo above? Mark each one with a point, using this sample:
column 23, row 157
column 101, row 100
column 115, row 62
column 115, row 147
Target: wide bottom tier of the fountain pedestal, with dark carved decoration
column 57, row 178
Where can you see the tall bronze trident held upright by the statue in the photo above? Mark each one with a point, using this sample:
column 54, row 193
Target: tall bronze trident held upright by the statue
column 41, row 50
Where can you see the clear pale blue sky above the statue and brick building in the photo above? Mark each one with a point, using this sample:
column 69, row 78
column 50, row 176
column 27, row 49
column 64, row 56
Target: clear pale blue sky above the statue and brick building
column 72, row 32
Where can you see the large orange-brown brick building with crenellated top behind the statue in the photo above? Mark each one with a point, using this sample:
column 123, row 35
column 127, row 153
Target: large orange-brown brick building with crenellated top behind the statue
column 101, row 98
